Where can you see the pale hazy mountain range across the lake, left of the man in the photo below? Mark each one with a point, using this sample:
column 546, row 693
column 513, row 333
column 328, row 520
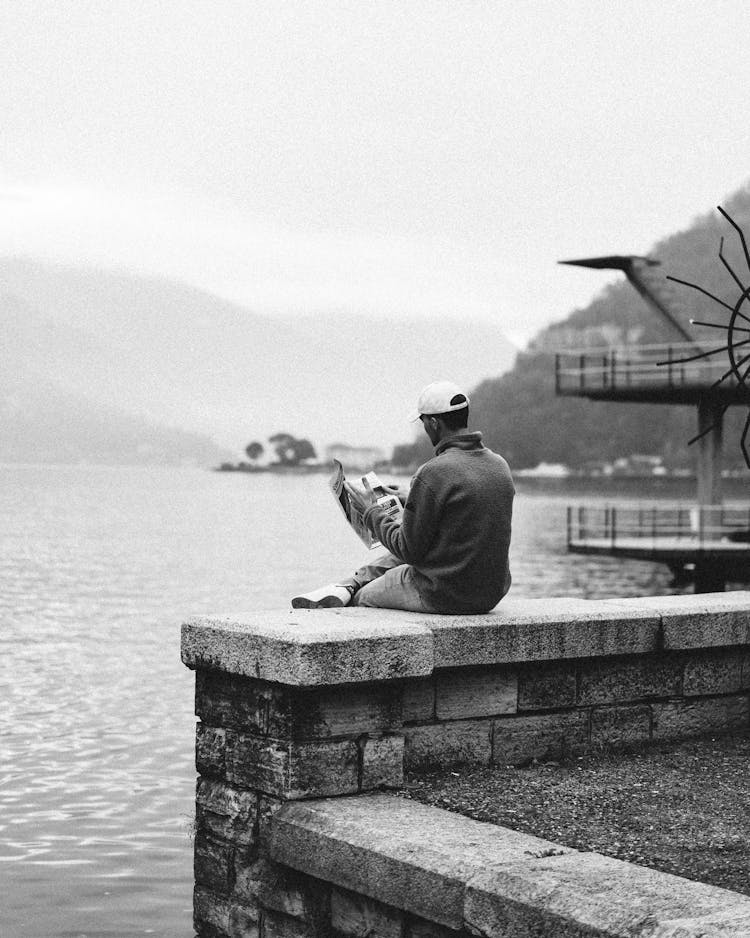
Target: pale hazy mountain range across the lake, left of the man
column 173, row 355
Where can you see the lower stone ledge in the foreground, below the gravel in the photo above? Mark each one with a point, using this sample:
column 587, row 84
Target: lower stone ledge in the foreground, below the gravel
column 492, row 880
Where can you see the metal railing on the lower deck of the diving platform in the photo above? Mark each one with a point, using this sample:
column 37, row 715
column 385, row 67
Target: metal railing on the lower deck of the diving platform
column 621, row 525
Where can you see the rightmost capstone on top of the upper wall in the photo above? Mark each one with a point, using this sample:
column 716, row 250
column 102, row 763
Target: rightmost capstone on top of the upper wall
column 702, row 621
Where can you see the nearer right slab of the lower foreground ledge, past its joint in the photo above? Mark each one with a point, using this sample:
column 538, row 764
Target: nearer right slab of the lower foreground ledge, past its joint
column 576, row 895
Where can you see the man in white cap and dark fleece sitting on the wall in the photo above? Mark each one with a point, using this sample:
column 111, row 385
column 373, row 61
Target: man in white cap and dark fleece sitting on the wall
column 449, row 551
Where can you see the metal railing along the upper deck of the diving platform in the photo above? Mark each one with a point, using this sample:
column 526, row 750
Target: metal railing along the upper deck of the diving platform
column 578, row 371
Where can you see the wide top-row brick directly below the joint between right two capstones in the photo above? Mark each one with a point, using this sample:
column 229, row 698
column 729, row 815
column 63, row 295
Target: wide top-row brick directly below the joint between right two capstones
column 619, row 680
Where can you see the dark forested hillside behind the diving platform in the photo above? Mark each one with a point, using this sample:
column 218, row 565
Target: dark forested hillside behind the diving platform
column 522, row 418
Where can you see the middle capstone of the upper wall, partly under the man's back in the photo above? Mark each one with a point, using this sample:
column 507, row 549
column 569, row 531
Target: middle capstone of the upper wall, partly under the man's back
column 543, row 630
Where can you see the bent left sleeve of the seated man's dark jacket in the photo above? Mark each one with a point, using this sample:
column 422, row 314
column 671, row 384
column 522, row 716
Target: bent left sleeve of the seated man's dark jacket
column 410, row 538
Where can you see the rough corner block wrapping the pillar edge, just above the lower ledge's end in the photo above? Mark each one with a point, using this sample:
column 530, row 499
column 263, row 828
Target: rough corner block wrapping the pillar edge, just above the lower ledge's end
column 294, row 769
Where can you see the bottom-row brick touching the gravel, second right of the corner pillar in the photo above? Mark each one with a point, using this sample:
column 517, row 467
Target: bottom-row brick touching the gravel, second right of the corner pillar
column 544, row 736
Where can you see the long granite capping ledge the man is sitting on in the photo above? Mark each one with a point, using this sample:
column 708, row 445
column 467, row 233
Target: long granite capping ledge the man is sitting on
column 341, row 646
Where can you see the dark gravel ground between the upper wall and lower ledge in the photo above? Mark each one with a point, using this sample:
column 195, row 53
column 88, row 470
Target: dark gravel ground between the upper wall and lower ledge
column 682, row 808
